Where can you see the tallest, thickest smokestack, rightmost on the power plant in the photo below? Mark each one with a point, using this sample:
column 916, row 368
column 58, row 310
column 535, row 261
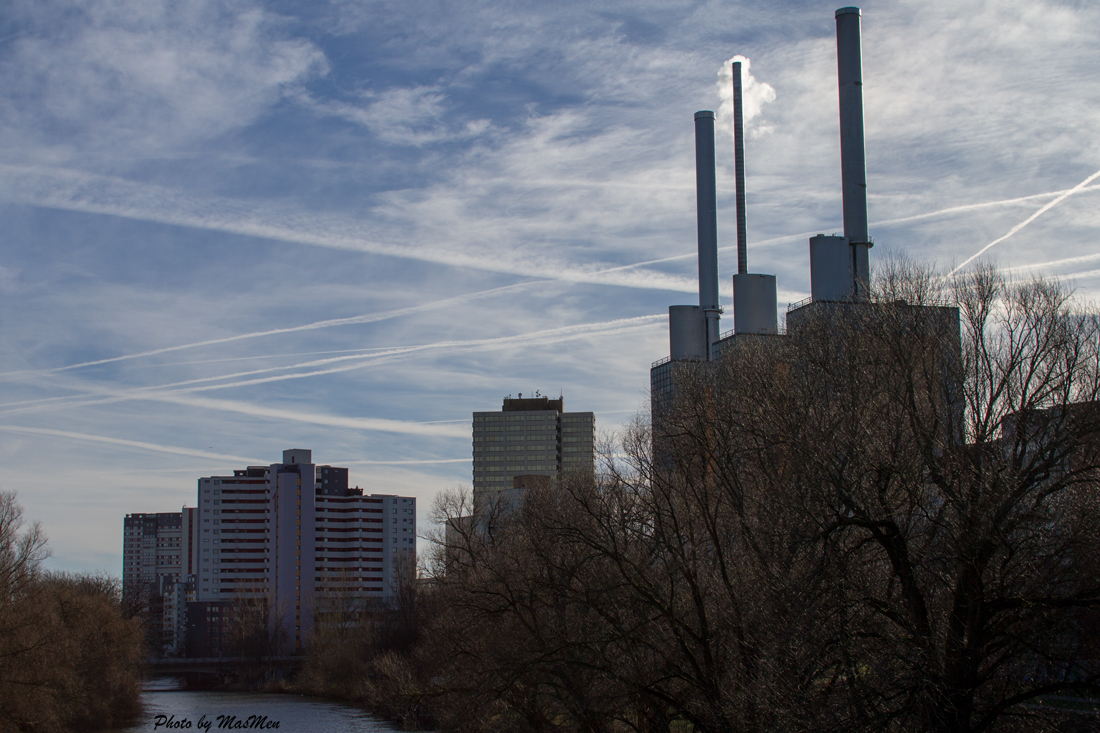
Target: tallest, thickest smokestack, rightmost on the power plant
column 853, row 159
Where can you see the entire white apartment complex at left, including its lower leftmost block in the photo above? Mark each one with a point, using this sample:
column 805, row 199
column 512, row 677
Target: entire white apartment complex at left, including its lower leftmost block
column 289, row 535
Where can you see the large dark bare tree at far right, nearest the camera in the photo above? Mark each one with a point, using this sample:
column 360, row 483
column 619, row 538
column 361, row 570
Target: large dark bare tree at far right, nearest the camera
column 959, row 486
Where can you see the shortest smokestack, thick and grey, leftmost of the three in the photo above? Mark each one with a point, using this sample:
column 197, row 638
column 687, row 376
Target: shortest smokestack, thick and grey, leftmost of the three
column 708, row 205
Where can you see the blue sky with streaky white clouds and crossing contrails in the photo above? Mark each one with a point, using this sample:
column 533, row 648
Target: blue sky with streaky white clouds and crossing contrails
column 233, row 227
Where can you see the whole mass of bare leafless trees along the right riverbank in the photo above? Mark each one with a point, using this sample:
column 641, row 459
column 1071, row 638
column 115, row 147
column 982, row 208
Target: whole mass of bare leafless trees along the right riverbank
column 885, row 521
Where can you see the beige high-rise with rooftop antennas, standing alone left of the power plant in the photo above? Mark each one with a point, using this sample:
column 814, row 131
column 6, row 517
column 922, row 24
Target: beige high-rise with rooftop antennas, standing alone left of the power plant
column 530, row 437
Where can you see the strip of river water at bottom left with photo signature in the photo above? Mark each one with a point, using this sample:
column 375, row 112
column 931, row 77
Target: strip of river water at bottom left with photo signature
column 175, row 712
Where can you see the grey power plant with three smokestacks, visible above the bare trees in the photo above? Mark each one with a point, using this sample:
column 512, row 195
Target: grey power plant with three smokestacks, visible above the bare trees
column 839, row 265
